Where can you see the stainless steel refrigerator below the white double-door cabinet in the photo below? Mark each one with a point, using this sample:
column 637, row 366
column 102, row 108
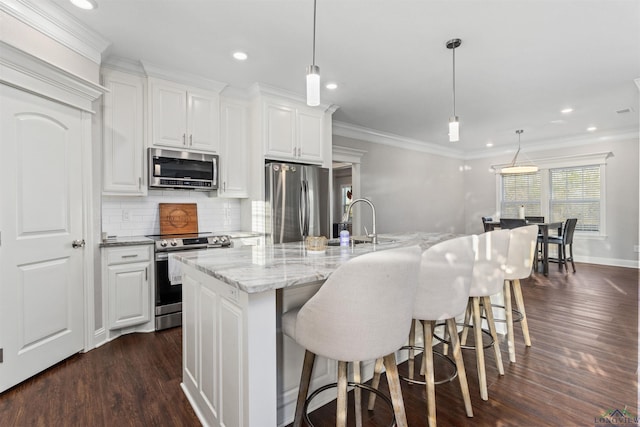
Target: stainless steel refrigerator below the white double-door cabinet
column 296, row 202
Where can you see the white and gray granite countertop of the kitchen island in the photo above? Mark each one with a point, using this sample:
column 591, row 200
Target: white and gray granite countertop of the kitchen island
column 254, row 269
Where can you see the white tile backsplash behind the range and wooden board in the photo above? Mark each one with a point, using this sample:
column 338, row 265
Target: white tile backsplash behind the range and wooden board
column 139, row 216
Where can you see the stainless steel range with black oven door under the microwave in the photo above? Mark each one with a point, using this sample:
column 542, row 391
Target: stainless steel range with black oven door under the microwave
column 168, row 290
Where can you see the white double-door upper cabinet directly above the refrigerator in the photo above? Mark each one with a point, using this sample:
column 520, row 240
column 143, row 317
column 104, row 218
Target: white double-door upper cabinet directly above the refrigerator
column 292, row 132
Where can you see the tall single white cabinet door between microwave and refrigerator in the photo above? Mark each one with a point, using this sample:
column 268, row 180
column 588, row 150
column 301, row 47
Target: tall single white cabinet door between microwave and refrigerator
column 234, row 149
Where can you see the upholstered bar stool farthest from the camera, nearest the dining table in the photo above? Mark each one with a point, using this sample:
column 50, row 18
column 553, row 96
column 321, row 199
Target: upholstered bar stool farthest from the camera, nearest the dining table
column 520, row 256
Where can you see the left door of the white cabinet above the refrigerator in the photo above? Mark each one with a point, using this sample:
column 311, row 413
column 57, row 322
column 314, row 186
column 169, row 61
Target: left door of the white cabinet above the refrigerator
column 280, row 135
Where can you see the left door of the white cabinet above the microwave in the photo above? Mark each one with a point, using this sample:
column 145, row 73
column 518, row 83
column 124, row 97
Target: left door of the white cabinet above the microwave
column 169, row 115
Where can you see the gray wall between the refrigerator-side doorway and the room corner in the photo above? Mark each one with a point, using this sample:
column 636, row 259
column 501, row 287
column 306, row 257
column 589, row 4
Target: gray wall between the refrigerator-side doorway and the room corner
column 412, row 191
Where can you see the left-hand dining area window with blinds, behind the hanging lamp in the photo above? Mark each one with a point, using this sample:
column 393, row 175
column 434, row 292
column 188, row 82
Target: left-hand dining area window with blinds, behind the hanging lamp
column 521, row 190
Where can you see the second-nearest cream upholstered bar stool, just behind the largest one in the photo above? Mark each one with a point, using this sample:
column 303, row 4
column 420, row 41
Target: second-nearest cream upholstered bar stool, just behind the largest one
column 443, row 290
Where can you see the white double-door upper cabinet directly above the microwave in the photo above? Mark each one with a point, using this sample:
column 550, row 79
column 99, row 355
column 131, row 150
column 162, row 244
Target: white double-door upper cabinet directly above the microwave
column 183, row 117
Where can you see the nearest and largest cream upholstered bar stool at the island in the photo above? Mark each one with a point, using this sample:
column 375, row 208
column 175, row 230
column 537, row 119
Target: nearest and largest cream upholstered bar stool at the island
column 363, row 311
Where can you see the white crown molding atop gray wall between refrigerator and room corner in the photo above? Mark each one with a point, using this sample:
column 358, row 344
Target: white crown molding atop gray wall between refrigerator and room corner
column 370, row 135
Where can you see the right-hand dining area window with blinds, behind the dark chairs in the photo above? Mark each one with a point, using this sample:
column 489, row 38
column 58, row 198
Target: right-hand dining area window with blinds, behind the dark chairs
column 575, row 193
